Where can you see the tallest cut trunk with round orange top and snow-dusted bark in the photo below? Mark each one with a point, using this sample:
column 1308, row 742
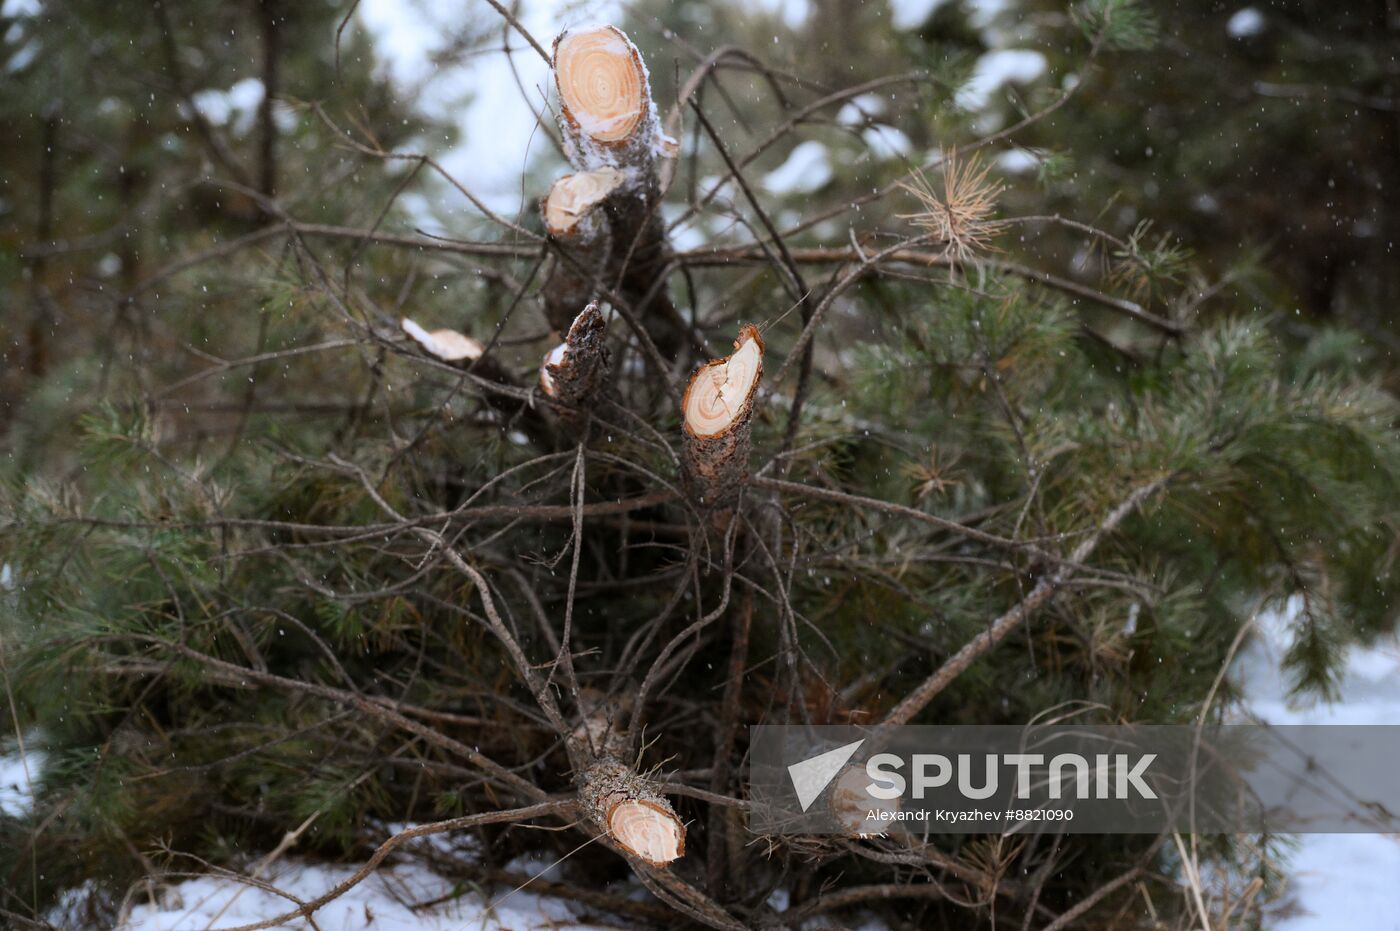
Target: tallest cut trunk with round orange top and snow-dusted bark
column 610, row 121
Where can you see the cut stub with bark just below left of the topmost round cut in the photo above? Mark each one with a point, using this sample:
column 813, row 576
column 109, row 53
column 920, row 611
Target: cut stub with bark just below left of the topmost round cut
column 579, row 227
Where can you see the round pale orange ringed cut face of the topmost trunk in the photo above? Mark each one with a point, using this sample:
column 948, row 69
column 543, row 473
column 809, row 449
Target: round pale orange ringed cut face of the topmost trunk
column 601, row 83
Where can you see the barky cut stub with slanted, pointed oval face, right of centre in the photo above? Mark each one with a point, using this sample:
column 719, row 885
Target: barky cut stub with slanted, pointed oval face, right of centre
column 717, row 414
